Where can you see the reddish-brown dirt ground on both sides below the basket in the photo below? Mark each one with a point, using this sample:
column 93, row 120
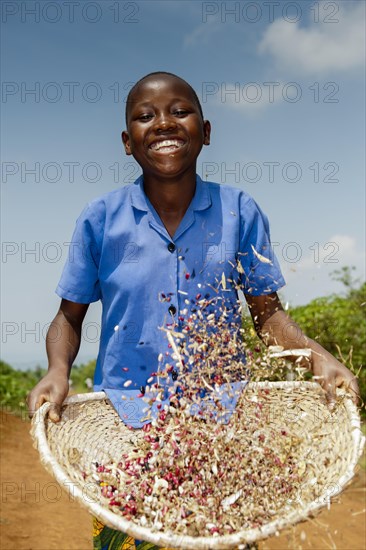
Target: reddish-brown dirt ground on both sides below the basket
column 37, row 515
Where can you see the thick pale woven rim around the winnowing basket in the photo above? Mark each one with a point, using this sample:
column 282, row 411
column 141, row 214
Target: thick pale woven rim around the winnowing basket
column 186, row 541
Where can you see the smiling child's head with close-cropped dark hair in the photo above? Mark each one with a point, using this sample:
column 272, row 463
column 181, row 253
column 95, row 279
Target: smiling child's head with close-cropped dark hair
column 165, row 130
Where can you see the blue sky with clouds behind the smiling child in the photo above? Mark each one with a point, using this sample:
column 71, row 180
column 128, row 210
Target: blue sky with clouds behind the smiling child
column 281, row 82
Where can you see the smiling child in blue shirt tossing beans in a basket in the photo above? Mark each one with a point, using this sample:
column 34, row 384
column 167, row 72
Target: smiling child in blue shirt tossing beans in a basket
column 146, row 249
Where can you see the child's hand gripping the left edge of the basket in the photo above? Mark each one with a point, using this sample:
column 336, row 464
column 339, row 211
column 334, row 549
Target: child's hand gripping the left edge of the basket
column 53, row 388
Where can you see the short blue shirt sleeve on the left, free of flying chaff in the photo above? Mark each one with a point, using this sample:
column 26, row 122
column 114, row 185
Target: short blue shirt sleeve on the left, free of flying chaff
column 79, row 280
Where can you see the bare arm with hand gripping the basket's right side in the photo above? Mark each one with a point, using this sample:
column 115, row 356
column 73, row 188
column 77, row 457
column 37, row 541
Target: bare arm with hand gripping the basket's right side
column 275, row 327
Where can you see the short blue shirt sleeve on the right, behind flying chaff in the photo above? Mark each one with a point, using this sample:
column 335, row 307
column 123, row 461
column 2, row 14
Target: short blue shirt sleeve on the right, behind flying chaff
column 260, row 270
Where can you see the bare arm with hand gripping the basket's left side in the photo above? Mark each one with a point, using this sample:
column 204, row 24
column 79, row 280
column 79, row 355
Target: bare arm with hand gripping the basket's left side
column 62, row 344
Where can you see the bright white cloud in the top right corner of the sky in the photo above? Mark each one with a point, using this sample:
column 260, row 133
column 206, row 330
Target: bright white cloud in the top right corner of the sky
column 322, row 47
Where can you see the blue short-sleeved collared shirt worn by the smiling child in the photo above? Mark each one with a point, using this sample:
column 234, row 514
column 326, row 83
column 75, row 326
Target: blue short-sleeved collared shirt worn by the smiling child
column 122, row 254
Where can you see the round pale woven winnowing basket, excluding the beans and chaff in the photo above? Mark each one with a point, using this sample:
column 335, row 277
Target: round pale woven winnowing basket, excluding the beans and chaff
column 91, row 431
